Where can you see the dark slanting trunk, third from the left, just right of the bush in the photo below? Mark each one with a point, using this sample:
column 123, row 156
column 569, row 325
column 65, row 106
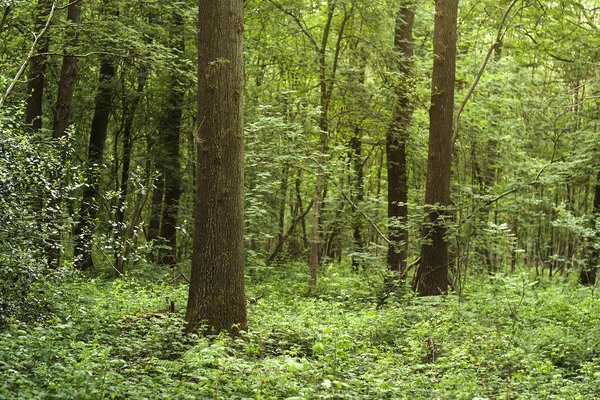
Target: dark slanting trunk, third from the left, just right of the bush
column 89, row 203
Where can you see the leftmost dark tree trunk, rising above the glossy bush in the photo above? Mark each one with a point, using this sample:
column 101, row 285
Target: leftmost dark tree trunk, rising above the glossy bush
column 37, row 70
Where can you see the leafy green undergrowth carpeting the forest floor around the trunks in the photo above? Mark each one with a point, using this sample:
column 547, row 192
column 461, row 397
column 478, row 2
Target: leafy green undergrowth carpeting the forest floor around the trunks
column 507, row 337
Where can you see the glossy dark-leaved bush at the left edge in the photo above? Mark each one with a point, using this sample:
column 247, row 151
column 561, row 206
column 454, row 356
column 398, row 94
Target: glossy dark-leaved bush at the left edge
column 30, row 220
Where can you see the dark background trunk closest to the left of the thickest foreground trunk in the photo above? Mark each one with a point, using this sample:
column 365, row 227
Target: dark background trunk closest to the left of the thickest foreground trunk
column 170, row 130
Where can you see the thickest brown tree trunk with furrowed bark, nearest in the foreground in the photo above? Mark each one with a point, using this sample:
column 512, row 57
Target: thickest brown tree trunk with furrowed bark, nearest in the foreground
column 216, row 294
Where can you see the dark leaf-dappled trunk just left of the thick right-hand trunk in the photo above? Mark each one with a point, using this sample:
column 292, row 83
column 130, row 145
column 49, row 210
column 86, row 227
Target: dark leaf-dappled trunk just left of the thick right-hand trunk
column 396, row 139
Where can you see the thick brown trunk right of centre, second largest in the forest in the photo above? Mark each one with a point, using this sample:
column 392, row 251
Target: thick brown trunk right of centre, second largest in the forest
column 432, row 275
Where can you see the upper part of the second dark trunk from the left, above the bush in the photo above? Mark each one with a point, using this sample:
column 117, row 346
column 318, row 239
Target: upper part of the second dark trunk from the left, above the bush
column 68, row 76
